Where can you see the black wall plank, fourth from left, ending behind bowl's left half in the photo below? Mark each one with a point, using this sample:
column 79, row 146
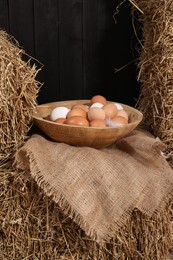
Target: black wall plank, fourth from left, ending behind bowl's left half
column 71, row 48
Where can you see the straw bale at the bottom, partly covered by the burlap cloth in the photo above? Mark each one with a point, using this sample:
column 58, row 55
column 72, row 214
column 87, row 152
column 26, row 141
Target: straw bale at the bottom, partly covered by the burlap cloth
column 32, row 226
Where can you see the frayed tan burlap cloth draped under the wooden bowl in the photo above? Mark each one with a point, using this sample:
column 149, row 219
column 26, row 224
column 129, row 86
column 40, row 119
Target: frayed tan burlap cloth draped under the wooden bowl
column 99, row 189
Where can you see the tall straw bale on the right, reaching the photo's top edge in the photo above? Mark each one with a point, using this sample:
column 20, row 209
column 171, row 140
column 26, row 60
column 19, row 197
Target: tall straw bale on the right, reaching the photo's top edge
column 156, row 69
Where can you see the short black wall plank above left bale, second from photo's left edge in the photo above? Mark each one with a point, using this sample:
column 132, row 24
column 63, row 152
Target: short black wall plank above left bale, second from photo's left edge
column 21, row 24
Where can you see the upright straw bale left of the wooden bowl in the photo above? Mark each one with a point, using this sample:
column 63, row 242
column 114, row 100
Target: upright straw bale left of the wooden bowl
column 18, row 92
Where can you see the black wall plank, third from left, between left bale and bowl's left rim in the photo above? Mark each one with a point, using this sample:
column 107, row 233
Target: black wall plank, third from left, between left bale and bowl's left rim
column 47, row 48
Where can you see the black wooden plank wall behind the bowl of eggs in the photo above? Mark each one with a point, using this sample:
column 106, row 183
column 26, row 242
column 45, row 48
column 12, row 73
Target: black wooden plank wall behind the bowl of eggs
column 79, row 44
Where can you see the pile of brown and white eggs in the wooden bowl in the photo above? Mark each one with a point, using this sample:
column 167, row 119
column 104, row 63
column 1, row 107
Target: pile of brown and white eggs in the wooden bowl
column 99, row 113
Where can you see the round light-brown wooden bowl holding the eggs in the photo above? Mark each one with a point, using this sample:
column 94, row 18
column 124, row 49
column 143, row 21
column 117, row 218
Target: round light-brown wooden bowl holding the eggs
column 97, row 137
